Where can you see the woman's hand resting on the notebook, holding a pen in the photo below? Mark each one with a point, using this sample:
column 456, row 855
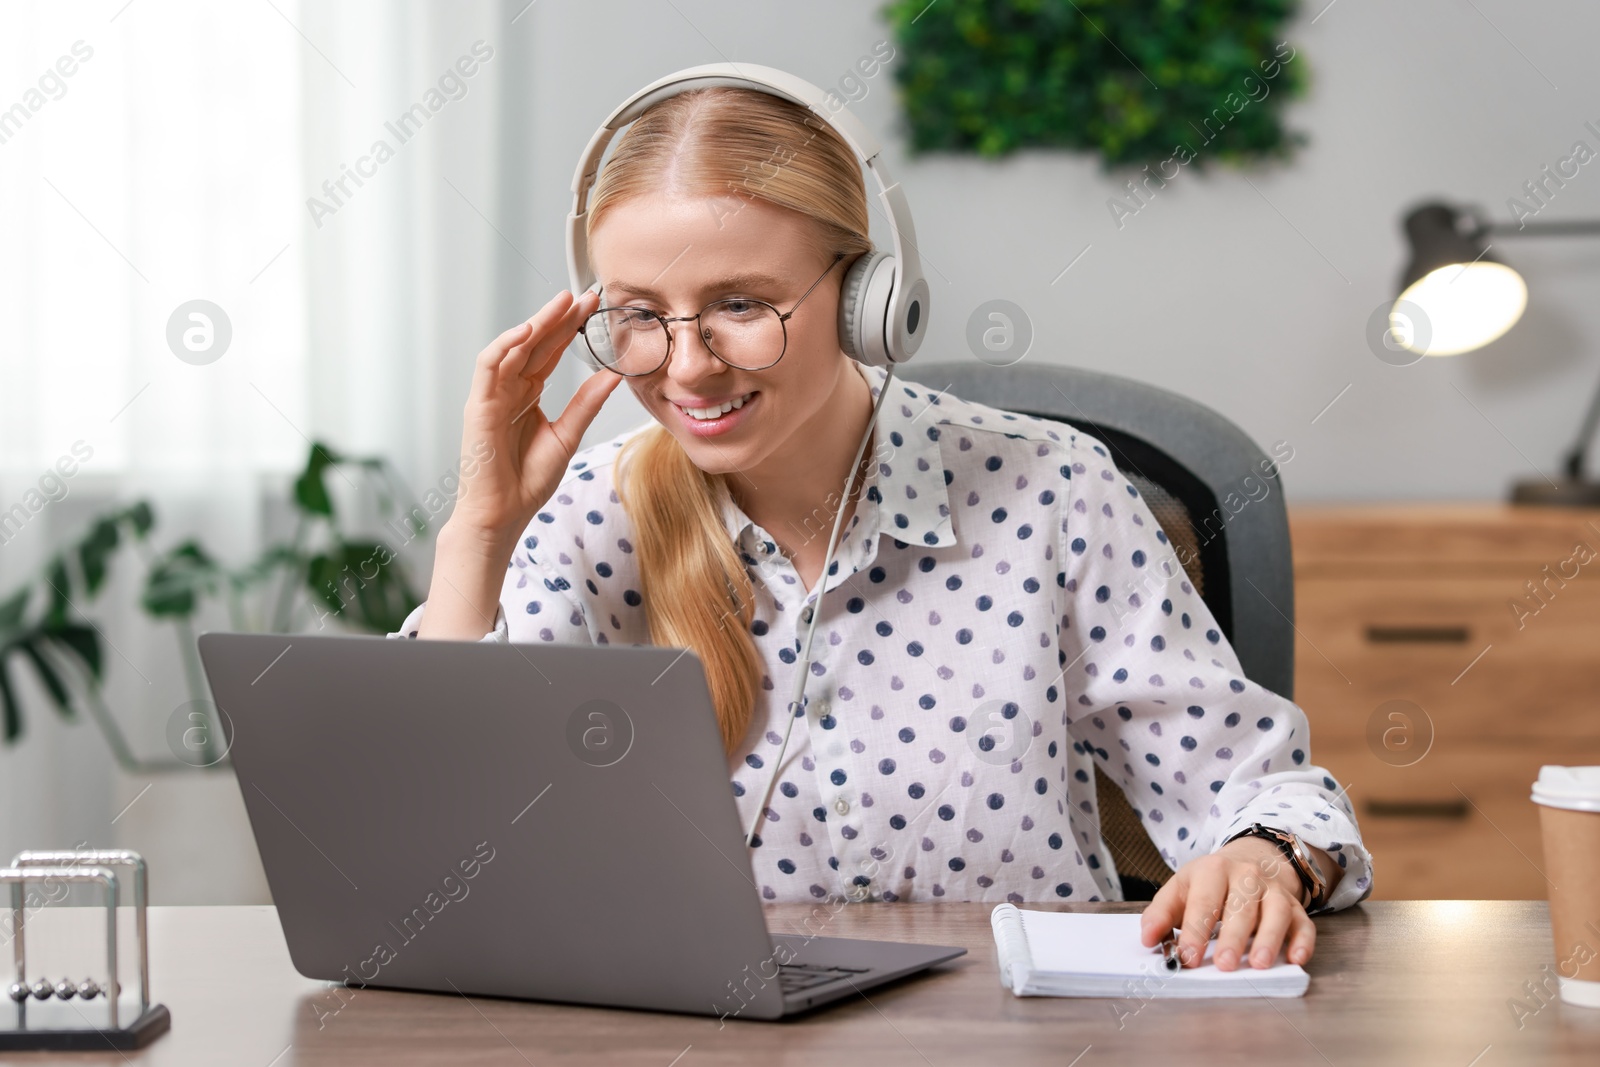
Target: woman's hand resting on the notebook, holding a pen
column 1252, row 889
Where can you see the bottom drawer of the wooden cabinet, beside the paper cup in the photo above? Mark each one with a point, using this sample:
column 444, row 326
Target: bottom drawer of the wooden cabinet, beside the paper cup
column 1458, row 825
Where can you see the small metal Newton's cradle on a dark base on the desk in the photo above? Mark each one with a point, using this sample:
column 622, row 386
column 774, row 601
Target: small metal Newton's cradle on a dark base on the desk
column 41, row 1013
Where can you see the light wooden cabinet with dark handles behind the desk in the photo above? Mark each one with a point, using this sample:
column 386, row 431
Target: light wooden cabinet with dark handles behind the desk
column 1444, row 653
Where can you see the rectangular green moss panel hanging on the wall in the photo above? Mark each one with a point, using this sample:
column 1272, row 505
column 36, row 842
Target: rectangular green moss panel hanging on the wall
column 1154, row 84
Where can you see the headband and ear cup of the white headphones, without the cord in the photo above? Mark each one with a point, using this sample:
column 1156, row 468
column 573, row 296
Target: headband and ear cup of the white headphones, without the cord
column 905, row 305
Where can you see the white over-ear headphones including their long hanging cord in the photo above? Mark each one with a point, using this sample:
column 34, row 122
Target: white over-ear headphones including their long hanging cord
column 884, row 300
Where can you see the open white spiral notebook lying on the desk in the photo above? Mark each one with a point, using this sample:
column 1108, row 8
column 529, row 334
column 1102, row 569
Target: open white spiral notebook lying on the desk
column 1081, row 954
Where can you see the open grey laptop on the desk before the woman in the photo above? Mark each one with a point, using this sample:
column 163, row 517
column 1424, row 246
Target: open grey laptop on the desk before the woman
column 534, row 821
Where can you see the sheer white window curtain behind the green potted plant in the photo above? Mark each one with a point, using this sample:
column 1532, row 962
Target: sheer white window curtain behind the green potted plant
column 159, row 154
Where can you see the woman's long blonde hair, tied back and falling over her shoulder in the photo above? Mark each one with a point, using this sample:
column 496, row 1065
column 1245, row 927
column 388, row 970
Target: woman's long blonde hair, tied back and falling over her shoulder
column 719, row 142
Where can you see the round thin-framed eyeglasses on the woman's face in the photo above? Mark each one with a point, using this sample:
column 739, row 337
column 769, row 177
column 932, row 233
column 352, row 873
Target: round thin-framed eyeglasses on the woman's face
column 745, row 334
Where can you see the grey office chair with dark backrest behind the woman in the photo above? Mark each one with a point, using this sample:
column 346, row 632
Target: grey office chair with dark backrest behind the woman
column 1191, row 465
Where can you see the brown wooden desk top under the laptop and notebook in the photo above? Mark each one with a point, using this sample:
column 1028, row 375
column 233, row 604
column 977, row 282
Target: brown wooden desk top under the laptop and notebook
column 1393, row 983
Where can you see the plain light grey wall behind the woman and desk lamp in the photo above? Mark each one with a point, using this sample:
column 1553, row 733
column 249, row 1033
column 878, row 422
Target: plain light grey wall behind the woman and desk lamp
column 1250, row 300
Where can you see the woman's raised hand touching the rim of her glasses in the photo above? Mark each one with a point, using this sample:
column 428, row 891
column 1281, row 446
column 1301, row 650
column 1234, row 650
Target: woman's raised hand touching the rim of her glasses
column 513, row 457
